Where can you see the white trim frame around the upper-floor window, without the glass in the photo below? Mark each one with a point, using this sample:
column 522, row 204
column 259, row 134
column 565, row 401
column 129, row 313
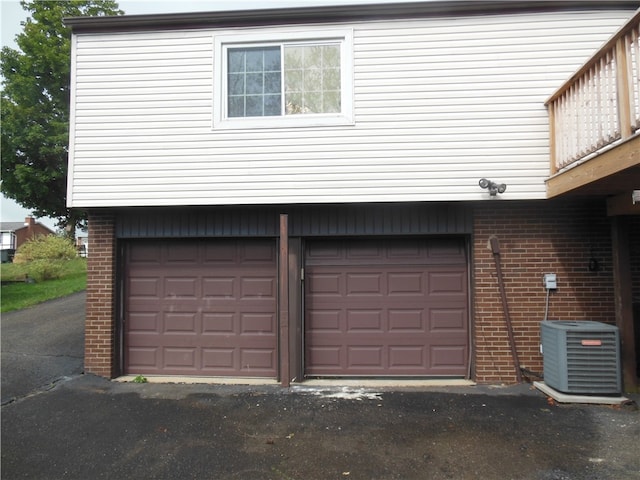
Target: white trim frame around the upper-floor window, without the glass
column 222, row 42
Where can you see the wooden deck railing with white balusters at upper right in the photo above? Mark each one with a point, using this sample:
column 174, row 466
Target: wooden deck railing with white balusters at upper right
column 600, row 104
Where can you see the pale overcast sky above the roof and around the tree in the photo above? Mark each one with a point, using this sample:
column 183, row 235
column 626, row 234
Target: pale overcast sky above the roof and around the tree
column 11, row 15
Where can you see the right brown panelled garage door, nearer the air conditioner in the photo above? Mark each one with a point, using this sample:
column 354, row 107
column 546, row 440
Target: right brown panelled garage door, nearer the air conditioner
column 386, row 307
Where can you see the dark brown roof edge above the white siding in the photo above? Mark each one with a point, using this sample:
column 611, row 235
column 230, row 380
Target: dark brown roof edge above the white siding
column 281, row 16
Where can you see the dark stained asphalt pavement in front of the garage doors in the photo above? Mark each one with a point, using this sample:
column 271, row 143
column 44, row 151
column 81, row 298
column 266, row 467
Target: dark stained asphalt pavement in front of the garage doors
column 89, row 427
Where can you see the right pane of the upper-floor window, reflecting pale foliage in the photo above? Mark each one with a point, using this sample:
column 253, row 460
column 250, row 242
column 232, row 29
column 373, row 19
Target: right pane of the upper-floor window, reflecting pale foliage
column 312, row 79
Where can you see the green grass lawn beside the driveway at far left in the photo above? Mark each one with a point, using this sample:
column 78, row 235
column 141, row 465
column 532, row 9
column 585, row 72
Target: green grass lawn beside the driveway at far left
column 14, row 296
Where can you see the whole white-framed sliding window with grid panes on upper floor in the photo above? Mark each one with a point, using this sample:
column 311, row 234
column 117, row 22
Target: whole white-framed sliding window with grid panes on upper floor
column 283, row 79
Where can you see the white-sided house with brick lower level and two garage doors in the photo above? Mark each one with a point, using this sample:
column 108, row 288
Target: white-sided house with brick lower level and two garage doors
column 318, row 192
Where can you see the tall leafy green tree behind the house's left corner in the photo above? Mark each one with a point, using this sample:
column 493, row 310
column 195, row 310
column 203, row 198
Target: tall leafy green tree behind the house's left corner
column 35, row 107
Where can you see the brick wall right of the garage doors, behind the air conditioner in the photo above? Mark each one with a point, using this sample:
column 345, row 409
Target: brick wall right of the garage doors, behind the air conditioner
column 536, row 238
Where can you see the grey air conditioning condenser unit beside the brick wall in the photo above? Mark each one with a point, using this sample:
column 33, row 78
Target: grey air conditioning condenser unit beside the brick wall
column 581, row 357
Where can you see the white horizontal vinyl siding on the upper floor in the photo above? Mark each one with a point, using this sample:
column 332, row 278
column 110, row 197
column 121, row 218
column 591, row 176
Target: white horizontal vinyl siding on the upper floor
column 438, row 104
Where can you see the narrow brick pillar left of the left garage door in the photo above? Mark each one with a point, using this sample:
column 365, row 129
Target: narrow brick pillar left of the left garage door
column 100, row 316
